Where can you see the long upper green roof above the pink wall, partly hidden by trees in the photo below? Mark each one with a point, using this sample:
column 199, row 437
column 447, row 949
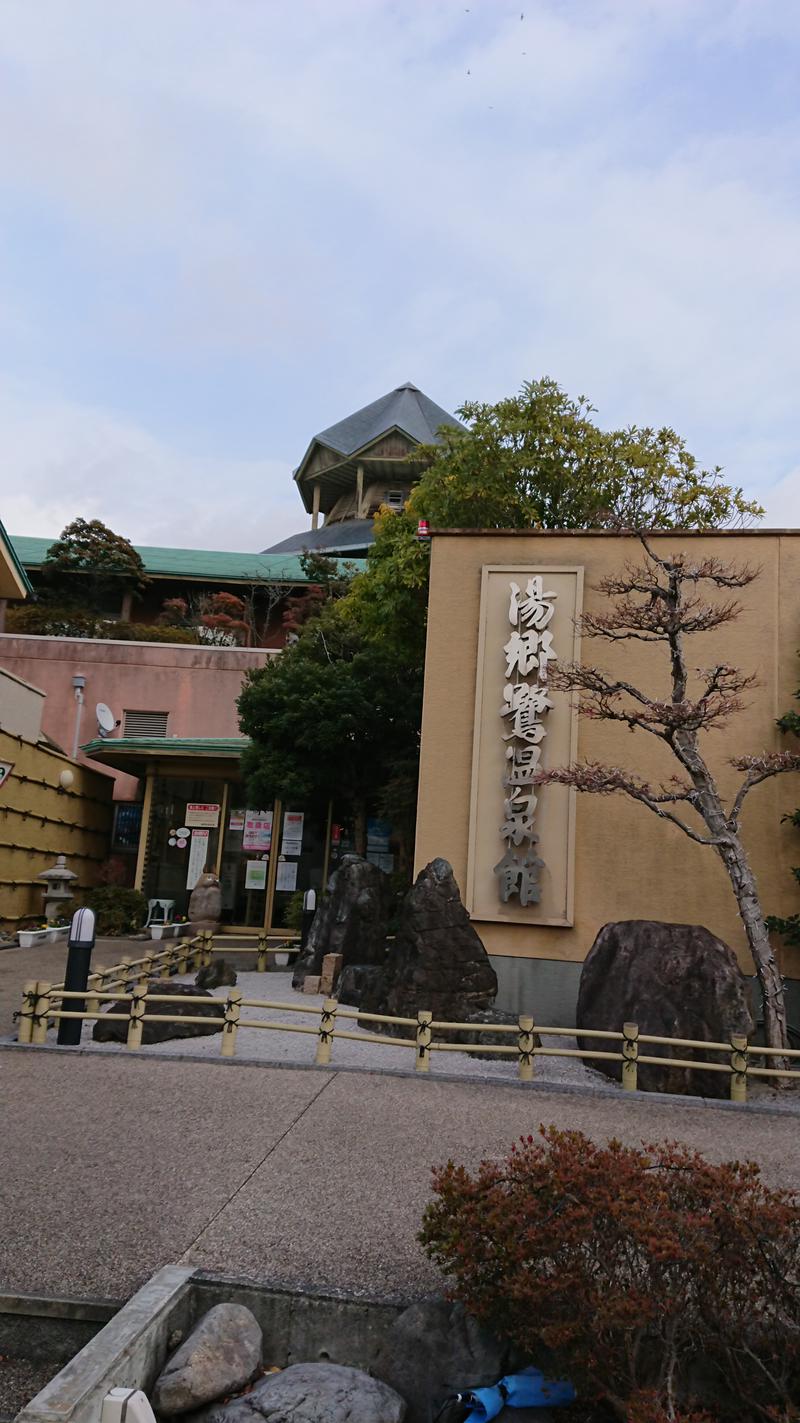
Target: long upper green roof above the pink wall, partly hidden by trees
column 194, row 563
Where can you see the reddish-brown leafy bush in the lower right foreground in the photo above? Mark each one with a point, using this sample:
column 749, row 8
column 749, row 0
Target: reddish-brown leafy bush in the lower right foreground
column 663, row 1284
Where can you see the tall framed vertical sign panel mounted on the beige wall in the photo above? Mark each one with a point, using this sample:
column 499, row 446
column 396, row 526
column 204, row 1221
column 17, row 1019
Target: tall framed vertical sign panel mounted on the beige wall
column 522, row 833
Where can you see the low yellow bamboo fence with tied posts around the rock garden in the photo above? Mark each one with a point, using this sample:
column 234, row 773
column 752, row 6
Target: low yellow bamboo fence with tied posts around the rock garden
column 129, row 984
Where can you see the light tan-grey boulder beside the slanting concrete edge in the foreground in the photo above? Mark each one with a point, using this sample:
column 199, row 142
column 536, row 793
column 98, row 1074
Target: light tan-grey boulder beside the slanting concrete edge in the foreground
column 221, row 1355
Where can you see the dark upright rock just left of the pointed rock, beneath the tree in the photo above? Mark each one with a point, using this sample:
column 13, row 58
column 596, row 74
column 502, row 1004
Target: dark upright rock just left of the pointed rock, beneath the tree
column 351, row 921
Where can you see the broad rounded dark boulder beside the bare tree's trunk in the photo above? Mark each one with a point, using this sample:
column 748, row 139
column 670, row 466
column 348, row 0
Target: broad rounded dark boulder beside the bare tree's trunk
column 674, row 981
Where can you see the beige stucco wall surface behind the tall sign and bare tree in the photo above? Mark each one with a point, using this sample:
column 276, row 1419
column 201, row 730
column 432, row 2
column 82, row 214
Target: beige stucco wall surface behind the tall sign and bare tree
column 628, row 864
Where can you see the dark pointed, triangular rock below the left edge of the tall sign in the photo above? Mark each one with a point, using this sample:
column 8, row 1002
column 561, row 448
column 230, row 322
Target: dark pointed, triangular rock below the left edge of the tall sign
column 438, row 961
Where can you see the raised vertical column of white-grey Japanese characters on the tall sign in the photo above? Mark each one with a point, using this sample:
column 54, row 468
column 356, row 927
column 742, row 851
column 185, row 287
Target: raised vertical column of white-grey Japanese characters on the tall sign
column 526, row 705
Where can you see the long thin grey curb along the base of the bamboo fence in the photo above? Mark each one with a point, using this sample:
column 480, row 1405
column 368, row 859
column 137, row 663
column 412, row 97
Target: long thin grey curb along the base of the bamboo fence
column 493, row 1084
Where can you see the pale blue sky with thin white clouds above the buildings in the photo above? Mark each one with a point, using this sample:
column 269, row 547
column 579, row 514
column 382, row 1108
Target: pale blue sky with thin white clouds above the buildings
column 228, row 224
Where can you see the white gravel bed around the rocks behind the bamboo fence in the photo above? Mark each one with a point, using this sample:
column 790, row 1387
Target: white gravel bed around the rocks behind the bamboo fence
column 275, row 1047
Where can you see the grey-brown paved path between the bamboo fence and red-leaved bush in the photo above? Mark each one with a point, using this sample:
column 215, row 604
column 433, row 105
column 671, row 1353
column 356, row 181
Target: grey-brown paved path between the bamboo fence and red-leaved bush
column 116, row 1166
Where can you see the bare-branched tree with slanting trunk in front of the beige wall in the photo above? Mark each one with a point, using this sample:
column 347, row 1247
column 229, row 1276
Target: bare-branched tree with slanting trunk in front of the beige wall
column 661, row 601
